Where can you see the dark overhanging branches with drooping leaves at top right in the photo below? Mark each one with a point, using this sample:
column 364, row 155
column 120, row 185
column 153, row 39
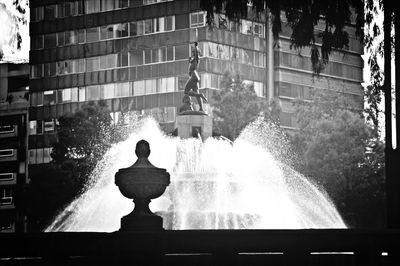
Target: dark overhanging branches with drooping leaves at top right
column 302, row 17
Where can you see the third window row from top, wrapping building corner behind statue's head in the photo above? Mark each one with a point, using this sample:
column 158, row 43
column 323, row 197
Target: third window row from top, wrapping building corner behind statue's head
column 147, row 56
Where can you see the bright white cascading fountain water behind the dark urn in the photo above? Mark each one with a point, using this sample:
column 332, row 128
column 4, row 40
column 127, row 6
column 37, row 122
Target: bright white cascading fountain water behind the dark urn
column 214, row 185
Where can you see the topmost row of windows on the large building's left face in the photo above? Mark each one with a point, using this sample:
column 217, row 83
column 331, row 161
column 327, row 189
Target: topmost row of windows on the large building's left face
column 76, row 8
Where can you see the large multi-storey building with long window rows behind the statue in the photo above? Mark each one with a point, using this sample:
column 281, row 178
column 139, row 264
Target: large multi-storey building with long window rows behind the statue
column 134, row 55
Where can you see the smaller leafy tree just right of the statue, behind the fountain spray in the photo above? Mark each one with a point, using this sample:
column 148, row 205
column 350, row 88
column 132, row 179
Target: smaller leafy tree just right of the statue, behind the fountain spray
column 236, row 105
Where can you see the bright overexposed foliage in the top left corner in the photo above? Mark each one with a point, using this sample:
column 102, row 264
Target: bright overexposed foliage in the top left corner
column 11, row 21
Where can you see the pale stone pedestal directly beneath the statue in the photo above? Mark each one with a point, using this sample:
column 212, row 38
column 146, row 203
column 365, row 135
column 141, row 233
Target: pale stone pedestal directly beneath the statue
column 192, row 123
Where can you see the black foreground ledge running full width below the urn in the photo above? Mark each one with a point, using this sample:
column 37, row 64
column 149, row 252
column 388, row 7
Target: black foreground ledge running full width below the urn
column 204, row 247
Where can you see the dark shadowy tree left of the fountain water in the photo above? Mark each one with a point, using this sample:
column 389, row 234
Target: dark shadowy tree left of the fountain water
column 83, row 138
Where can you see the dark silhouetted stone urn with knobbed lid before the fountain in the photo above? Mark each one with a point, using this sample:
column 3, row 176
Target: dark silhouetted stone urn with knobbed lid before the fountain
column 142, row 182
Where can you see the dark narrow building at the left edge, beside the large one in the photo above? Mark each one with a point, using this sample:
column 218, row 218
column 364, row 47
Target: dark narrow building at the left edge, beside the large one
column 14, row 79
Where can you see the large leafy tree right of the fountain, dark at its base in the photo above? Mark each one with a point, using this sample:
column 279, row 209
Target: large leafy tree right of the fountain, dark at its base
column 342, row 154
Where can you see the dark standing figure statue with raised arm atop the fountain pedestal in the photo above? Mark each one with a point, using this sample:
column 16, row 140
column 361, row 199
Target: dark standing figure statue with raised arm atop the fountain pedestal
column 192, row 85
